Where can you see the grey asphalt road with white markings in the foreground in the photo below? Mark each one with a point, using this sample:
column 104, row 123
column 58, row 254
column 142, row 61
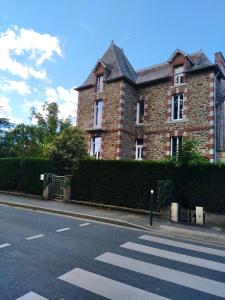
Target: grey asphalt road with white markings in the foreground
column 44, row 256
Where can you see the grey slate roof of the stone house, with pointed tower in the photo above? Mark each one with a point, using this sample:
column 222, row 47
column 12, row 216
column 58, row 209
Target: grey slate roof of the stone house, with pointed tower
column 119, row 66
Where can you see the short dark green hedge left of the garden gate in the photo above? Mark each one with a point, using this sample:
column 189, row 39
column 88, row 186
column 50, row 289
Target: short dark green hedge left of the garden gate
column 23, row 175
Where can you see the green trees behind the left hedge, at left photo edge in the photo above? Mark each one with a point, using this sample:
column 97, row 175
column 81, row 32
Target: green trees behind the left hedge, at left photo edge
column 32, row 140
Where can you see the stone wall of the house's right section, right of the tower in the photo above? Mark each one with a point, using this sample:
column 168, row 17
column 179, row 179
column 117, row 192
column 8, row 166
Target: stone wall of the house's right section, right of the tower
column 158, row 127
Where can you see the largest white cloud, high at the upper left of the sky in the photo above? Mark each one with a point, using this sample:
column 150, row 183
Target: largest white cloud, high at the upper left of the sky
column 17, row 45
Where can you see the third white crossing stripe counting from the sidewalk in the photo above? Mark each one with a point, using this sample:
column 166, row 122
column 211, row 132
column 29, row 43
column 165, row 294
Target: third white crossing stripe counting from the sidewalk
column 184, row 279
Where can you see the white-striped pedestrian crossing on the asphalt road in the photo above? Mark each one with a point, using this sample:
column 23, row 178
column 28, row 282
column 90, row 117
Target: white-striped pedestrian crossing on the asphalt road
column 149, row 263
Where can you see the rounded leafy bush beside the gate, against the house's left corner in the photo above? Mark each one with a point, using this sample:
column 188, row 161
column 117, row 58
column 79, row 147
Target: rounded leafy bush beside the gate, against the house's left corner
column 67, row 149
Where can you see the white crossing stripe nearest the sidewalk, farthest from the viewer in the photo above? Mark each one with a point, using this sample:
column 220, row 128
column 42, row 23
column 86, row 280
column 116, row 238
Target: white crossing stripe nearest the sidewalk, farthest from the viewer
column 183, row 245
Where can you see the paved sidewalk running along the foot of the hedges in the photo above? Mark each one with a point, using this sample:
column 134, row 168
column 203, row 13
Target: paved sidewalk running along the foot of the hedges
column 117, row 217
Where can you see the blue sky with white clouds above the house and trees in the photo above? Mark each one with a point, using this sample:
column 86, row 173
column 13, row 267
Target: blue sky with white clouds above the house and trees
column 49, row 47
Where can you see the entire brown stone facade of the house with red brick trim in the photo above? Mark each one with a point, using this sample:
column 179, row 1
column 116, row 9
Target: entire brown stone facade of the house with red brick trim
column 119, row 116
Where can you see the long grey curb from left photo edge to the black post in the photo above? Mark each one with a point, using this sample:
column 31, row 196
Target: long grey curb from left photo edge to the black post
column 76, row 215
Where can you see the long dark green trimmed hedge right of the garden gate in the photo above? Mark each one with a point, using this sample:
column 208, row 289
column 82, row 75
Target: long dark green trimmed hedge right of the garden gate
column 128, row 183
